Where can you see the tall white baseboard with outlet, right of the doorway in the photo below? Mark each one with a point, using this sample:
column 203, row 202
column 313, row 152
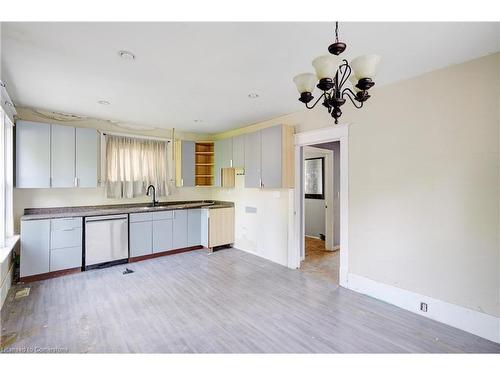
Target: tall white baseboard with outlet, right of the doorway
column 475, row 322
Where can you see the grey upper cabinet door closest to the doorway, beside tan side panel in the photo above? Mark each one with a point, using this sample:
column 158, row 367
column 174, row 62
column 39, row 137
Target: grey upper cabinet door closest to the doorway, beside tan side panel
column 271, row 156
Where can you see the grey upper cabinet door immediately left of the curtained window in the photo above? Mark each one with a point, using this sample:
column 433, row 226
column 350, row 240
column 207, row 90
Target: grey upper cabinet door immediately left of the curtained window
column 86, row 157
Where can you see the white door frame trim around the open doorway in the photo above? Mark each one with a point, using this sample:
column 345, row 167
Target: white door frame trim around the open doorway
column 324, row 135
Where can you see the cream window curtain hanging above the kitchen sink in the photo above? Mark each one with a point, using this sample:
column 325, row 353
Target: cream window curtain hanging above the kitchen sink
column 132, row 164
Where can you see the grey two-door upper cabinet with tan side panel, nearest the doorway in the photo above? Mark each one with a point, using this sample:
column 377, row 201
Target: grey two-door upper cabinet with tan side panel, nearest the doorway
column 269, row 158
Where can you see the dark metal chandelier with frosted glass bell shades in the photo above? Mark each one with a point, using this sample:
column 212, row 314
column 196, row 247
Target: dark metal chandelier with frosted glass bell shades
column 333, row 73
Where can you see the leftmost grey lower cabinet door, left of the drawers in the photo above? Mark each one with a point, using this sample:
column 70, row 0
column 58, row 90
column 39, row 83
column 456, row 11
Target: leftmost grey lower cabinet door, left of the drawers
column 35, row 240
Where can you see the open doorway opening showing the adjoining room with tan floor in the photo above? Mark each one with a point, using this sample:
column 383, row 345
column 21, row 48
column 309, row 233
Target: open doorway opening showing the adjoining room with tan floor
column 321, row 174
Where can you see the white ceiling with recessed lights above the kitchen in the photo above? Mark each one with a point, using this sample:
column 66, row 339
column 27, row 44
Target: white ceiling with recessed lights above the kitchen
column 205, row 71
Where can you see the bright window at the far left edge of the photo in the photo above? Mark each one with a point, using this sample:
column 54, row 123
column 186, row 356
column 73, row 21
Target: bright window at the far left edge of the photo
column 6, row 178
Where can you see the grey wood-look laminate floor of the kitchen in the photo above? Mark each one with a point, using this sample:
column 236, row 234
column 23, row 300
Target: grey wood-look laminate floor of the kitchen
column 228, row 301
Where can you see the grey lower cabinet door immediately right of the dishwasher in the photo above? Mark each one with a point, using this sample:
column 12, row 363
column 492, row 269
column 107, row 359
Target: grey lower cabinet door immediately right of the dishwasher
column 141, row 234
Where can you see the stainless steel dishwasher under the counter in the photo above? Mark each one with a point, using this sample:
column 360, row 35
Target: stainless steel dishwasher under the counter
column 106, row 240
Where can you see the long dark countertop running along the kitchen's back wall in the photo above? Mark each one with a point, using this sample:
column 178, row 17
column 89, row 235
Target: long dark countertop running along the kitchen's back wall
column 61, row 212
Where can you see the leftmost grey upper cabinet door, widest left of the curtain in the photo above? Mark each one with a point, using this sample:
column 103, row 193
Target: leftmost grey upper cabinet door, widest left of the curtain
column 32, row 155
